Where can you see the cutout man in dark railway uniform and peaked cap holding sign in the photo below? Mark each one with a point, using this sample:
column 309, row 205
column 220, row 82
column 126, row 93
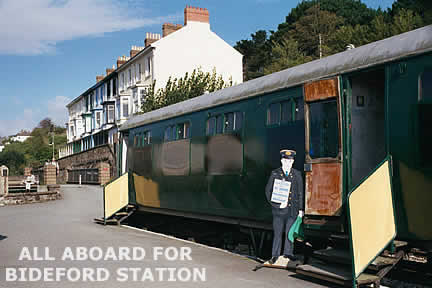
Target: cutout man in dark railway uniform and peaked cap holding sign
column 285, row 213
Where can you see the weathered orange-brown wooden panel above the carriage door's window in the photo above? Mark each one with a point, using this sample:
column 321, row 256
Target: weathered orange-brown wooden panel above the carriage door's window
column 320, row 90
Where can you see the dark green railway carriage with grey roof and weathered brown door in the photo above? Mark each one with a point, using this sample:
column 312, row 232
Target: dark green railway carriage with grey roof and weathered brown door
column 210, row 157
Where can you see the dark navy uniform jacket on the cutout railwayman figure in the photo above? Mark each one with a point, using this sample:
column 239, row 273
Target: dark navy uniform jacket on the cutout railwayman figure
column 295, row 200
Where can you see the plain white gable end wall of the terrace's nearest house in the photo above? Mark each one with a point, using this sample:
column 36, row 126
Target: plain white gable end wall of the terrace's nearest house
column 193, row 46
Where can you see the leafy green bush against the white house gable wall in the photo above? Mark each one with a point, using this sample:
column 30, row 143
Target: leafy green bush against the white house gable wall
column 176, row 90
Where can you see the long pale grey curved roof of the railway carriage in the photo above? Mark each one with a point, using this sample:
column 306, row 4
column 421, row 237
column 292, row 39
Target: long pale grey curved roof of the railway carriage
column 407, row 44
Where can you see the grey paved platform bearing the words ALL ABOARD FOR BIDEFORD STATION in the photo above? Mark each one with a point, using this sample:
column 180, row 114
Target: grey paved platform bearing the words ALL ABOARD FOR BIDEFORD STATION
column 69, row 223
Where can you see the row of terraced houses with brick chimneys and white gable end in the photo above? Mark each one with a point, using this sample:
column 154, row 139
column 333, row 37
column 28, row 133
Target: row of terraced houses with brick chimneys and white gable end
column 96, row 115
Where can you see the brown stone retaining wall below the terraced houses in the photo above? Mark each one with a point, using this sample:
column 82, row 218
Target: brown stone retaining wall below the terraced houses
column 98, row 157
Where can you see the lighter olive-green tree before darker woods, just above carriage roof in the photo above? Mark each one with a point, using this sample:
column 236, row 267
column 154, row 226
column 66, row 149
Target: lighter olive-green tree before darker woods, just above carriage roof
column 285, row 55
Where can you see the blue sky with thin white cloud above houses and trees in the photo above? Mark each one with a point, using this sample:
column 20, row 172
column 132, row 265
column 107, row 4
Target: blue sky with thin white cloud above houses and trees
column 52, row 50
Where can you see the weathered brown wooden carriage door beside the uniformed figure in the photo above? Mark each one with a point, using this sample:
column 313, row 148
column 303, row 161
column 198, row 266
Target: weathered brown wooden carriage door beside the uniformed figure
column 323, row 148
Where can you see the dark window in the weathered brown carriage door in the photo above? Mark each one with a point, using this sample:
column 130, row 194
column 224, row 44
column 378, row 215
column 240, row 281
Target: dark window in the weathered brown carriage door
column 323, row 129
